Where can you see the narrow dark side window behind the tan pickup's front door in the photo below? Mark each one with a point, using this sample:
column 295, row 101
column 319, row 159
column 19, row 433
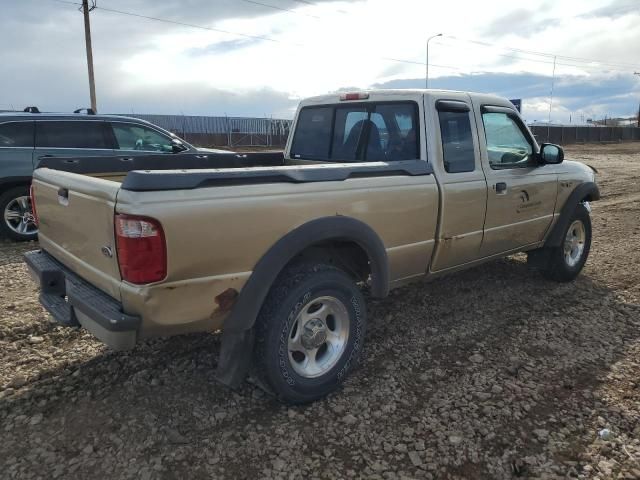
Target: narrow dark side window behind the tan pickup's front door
column 457, row 142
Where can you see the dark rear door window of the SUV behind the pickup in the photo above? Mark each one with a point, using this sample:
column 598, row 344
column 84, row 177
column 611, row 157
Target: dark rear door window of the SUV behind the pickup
column 72, row 134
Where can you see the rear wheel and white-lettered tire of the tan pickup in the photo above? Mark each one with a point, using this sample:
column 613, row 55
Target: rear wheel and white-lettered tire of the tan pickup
column 309, row 332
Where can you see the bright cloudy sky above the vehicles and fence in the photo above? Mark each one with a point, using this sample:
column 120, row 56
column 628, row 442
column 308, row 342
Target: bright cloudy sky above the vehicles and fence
column 259, row 58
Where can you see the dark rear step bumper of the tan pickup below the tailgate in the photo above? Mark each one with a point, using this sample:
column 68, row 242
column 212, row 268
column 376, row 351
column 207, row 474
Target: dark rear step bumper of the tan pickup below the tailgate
column 72, row 301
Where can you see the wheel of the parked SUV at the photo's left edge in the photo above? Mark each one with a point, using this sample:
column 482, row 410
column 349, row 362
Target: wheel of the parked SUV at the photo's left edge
column 16, row 215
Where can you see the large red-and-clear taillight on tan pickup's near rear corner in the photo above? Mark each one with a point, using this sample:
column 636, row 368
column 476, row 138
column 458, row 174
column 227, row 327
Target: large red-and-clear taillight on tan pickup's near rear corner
column 142, row 251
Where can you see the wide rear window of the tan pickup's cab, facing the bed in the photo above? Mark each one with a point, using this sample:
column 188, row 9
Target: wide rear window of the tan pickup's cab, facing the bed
column 386, row 131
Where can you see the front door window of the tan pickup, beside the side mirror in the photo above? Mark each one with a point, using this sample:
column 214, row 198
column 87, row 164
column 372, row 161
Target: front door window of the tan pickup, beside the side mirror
column 507, row 145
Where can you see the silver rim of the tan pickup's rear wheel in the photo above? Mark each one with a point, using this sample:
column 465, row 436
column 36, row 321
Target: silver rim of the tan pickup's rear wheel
column 318, row 336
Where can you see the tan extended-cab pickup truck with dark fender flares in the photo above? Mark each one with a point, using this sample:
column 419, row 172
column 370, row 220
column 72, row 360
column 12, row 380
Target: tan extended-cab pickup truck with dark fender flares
column 374, row 189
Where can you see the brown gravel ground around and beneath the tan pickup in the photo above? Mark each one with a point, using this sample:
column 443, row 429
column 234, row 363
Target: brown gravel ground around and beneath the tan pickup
column 491, row 373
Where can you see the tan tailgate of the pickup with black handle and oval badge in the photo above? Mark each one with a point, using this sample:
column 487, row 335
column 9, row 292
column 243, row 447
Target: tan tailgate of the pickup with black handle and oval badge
column 76, row 224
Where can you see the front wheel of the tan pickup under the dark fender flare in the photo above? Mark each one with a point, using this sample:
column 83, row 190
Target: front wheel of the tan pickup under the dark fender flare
column 565, row 262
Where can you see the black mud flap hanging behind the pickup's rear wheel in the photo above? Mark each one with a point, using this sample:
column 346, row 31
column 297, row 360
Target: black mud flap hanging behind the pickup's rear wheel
column 236, row 354
